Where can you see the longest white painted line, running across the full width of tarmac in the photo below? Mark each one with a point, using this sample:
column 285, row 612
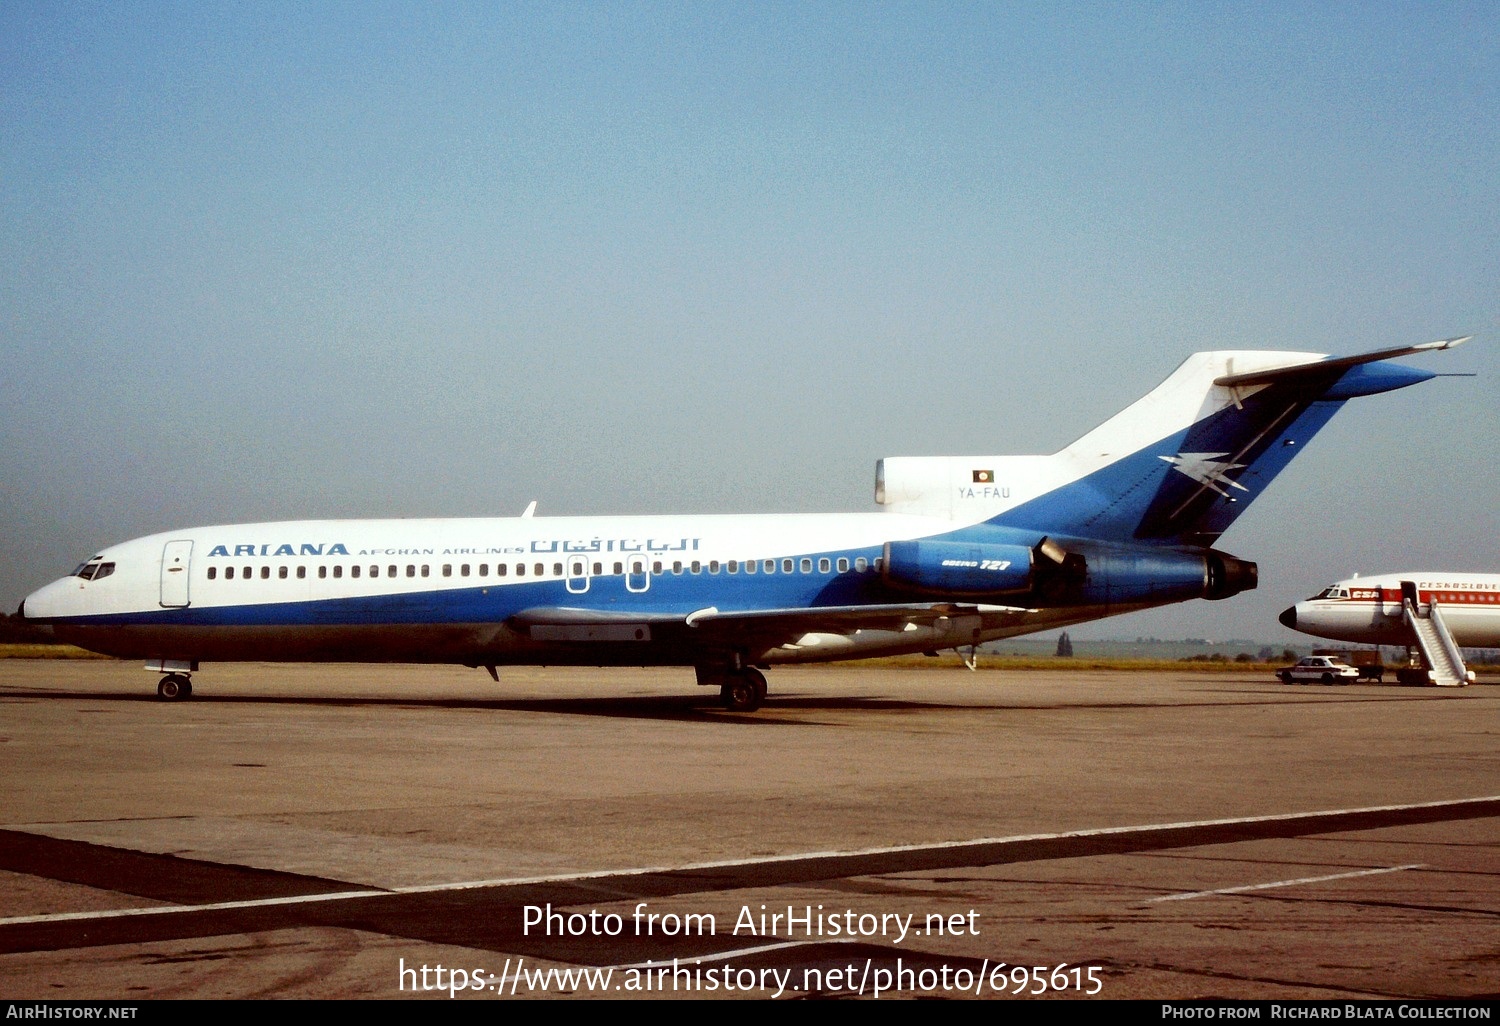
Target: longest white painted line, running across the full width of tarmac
column 740, row 863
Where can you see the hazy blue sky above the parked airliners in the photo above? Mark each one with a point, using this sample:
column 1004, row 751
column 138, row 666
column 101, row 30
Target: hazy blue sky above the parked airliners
column 271, row 262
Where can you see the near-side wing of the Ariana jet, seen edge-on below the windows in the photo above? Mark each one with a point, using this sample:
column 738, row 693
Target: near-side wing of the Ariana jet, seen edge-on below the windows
column 763, row 628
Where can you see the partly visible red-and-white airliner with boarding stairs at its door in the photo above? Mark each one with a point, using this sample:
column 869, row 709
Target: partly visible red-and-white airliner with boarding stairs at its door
column 1435, row 613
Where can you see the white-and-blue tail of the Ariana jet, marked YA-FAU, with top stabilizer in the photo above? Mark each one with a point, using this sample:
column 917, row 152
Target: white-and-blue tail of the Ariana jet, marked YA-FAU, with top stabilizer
column 1180, row 466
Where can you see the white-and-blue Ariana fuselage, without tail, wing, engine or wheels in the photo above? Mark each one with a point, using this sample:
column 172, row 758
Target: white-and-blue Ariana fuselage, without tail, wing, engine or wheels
column 461, row 590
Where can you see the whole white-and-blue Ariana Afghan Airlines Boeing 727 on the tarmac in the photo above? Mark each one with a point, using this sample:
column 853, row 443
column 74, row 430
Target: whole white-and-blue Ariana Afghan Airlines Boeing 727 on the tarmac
column 962, row 551
